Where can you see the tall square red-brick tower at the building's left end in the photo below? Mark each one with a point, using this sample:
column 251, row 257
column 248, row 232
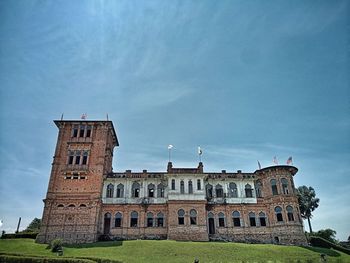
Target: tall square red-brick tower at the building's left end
column 83, row 158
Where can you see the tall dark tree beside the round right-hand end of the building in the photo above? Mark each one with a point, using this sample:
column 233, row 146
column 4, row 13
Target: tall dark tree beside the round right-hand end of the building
column 307, row 202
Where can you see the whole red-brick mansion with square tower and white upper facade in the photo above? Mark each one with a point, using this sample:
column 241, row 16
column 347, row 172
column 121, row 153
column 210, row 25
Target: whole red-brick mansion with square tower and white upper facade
column 86, row 199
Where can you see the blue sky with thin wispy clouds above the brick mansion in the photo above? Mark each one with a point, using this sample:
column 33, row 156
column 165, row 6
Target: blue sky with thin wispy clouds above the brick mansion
column 245, row 80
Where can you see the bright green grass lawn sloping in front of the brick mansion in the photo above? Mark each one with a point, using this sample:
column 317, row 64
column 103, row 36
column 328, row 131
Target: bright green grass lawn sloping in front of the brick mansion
column 173, row 251
